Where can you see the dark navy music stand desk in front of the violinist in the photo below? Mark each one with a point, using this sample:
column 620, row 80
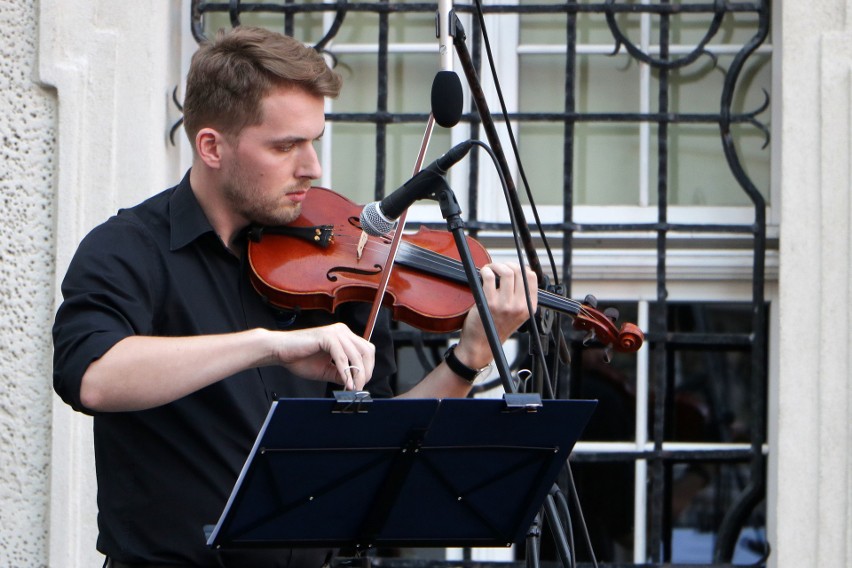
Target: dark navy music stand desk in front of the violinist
column 397, row 473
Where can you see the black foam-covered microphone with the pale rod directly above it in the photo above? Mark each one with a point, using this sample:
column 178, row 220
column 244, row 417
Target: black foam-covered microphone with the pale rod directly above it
column 447, row 97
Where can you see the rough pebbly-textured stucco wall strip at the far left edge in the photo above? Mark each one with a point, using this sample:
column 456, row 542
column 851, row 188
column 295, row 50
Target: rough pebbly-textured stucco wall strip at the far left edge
column 27, row 226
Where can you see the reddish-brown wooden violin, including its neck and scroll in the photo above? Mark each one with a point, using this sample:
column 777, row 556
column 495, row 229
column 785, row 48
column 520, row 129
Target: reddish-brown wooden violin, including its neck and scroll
column 319, row 261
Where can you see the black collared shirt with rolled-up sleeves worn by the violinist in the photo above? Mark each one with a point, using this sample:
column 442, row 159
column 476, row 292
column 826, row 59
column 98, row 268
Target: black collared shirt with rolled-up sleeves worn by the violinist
column 159, row 269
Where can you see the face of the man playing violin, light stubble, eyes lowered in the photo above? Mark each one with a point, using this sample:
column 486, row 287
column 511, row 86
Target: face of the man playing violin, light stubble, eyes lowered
column 270, row 166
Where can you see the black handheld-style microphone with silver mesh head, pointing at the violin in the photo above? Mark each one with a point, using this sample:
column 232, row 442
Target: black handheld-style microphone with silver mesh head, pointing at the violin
column 379, row 217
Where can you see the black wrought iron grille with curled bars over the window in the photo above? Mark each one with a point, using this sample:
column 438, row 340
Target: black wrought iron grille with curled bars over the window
column 667, row 334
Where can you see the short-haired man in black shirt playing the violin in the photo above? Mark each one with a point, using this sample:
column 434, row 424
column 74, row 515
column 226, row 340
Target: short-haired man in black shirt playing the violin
column 163, row 340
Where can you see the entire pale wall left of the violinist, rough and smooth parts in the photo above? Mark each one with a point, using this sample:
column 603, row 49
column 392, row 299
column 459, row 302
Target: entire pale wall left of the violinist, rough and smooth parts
column 85, row 108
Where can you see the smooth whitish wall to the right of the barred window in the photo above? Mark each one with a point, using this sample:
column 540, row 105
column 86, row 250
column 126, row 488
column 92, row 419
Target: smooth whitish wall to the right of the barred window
column 811, row 470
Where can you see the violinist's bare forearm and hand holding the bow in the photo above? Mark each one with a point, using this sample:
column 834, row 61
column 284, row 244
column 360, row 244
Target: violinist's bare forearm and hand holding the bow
column 141, row 372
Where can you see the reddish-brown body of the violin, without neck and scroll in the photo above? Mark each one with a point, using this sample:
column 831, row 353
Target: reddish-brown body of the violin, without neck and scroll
column 291, row 270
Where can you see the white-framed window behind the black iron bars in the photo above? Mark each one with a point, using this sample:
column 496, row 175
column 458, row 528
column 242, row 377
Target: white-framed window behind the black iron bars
column 643, row 129
